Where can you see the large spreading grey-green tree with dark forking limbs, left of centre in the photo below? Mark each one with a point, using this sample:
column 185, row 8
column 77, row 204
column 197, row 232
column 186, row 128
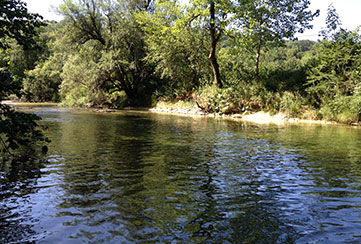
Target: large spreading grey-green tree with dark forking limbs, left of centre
column 105, row 34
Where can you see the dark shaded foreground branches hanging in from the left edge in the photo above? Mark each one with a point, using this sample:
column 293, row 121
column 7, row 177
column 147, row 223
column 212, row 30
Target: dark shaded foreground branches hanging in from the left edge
column 16, row 129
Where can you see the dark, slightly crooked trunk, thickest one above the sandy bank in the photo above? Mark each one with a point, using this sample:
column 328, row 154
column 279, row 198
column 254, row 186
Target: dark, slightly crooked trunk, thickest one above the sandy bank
column 212, row 53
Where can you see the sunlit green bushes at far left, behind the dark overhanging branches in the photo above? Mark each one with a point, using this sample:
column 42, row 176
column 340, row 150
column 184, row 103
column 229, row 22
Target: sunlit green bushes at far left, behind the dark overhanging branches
column 34, row 74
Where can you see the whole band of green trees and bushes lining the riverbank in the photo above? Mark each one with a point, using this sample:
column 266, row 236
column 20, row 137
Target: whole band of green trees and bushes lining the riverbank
column 223, row 56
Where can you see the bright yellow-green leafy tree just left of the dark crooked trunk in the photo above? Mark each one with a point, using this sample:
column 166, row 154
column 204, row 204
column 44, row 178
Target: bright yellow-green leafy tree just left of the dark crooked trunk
column 177, row 50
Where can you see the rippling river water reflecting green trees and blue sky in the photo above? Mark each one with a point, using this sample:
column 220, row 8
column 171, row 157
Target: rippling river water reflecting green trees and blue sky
column 144, row 178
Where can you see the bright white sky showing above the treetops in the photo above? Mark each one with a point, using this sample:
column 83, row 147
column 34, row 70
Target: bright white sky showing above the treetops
column 348, row 10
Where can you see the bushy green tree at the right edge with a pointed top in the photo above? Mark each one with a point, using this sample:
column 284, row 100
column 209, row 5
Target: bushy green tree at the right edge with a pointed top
column 335, row 74
